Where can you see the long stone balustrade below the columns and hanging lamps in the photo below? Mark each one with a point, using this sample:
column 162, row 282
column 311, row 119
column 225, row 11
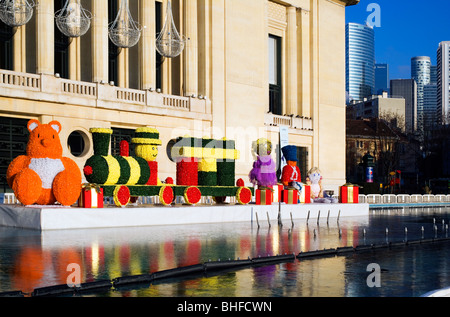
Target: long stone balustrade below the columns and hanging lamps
column 102, row 95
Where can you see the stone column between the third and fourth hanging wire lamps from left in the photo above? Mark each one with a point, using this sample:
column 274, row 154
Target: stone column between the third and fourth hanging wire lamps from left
column 147, row 52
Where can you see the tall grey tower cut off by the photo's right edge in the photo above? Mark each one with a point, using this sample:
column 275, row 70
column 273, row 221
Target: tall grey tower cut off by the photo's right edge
column 443, row 82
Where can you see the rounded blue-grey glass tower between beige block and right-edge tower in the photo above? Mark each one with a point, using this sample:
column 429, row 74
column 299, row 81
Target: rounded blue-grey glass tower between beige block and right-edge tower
column 421, row 73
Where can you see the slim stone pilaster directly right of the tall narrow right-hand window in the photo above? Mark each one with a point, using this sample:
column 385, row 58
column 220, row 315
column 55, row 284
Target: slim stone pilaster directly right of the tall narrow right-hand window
column 291, row 61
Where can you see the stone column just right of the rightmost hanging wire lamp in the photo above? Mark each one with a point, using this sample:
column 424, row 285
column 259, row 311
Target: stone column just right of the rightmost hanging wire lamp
column 191, row 49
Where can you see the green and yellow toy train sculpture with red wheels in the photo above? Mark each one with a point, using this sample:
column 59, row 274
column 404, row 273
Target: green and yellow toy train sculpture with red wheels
column 204, row 167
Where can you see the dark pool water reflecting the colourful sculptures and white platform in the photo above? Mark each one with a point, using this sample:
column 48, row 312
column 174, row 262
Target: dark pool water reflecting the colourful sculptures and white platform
column 30, row 259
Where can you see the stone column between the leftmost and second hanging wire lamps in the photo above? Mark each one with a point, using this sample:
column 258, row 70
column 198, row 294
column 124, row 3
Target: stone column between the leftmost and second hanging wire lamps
column 45, row 38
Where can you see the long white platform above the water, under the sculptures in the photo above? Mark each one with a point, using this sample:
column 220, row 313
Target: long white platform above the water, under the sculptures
column 59, row 218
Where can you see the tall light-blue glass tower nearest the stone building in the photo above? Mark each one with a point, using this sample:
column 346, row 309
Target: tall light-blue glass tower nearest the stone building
column 360, row 61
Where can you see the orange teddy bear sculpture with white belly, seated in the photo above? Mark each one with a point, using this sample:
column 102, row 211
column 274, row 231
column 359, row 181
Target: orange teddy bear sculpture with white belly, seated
column 44, row 176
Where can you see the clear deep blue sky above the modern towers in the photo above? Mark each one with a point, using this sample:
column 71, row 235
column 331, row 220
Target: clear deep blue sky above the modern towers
column 408, row 28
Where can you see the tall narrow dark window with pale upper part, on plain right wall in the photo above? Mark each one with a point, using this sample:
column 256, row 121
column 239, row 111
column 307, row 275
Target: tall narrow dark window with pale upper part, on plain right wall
column 275, row 84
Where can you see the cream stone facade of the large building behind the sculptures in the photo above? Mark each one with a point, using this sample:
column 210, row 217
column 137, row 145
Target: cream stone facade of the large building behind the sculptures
column 220, row 86
